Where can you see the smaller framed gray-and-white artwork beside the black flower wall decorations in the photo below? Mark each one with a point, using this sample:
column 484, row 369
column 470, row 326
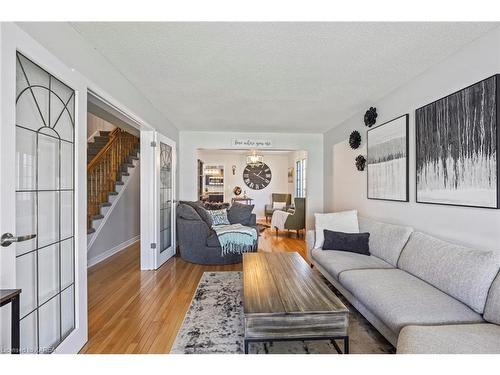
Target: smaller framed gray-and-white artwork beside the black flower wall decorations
column 387, row 163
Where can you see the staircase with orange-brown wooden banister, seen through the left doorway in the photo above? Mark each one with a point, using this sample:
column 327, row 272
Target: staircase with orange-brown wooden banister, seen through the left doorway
column 109, row 158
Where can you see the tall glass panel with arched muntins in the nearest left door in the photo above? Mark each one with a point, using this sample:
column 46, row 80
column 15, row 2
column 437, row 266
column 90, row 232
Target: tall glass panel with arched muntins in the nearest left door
column 45, row 114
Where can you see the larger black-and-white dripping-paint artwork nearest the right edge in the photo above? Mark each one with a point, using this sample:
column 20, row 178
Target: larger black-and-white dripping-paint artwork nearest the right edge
column 457, row 141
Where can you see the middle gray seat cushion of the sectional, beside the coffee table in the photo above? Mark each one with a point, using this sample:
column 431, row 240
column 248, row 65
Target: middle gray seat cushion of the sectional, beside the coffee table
column 400, row 299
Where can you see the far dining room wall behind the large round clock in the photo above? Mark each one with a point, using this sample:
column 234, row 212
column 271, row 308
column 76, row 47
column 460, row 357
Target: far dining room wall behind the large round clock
column 278, row 163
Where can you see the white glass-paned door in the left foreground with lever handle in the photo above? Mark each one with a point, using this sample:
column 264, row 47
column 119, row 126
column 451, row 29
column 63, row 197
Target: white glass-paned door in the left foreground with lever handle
column 42, row 195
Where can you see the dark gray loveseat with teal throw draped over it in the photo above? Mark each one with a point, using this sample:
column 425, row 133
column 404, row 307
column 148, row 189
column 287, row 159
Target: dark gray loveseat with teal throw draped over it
column 198, row 242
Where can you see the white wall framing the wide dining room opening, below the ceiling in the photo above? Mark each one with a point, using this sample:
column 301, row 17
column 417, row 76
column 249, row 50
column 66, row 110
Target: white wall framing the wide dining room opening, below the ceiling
column 190, row 142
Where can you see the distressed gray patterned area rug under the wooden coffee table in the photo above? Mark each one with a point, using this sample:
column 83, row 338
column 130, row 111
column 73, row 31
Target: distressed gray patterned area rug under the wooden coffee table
column 214, row 324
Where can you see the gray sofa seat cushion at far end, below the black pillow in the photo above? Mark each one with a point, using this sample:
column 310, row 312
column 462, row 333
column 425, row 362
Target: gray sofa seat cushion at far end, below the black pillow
column 336, row 262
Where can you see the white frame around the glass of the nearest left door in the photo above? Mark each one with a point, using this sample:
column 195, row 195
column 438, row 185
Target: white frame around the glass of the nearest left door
column 14, row 40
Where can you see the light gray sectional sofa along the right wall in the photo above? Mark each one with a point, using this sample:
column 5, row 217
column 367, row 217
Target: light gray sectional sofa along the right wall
column 423, row 294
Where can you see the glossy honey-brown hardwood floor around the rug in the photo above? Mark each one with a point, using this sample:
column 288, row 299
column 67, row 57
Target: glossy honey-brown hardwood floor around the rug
column 133, row 311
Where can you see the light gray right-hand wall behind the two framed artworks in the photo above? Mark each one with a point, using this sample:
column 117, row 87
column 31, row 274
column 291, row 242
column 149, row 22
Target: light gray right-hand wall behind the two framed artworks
column 345, row 187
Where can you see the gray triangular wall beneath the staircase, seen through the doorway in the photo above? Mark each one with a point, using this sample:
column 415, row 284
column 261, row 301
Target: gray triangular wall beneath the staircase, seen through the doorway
column 122, row 226
